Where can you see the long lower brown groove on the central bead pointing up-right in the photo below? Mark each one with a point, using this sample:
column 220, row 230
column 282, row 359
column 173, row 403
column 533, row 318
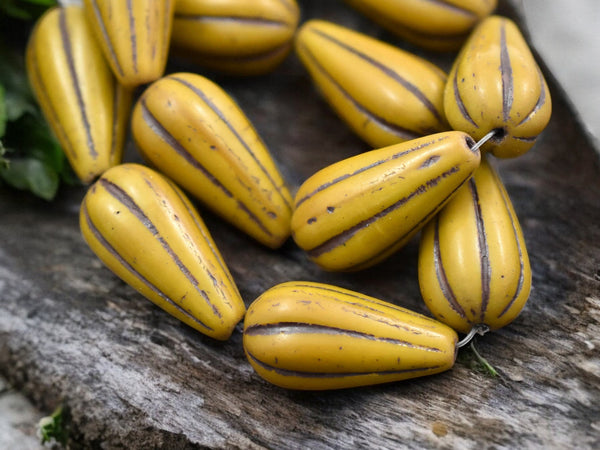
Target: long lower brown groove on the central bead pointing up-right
column 341, row 238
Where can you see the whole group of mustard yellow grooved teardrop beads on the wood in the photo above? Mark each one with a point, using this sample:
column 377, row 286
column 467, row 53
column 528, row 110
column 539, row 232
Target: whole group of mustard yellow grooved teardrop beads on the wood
column 426, row 173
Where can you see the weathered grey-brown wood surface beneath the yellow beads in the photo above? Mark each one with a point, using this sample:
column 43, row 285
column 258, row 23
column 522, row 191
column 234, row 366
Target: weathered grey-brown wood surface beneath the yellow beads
column 133, row 377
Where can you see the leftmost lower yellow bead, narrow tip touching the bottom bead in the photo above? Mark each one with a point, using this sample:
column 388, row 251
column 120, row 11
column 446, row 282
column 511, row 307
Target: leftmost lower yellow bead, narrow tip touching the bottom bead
column 147, row 232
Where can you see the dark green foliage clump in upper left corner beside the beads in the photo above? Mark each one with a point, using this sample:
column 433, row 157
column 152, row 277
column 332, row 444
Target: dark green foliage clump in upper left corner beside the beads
column 30, row 156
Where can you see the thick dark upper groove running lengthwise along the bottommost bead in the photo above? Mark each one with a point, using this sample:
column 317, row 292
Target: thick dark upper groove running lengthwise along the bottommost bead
column 271, row 329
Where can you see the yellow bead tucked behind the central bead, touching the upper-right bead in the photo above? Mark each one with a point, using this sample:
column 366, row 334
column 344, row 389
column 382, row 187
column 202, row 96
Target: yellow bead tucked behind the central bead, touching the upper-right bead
column 386, row 95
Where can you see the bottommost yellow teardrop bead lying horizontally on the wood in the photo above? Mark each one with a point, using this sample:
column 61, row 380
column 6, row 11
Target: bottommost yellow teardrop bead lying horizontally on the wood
column 313, row 336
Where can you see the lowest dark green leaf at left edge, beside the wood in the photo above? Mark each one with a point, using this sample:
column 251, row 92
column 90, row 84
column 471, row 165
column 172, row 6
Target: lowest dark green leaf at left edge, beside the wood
column 33, row 175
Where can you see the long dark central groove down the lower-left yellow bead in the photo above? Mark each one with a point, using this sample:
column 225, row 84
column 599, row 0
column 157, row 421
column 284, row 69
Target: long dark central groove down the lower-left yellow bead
column 120, row 195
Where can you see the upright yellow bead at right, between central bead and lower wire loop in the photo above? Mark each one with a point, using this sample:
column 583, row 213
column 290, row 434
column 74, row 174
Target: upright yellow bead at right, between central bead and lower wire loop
column 473, row 262
